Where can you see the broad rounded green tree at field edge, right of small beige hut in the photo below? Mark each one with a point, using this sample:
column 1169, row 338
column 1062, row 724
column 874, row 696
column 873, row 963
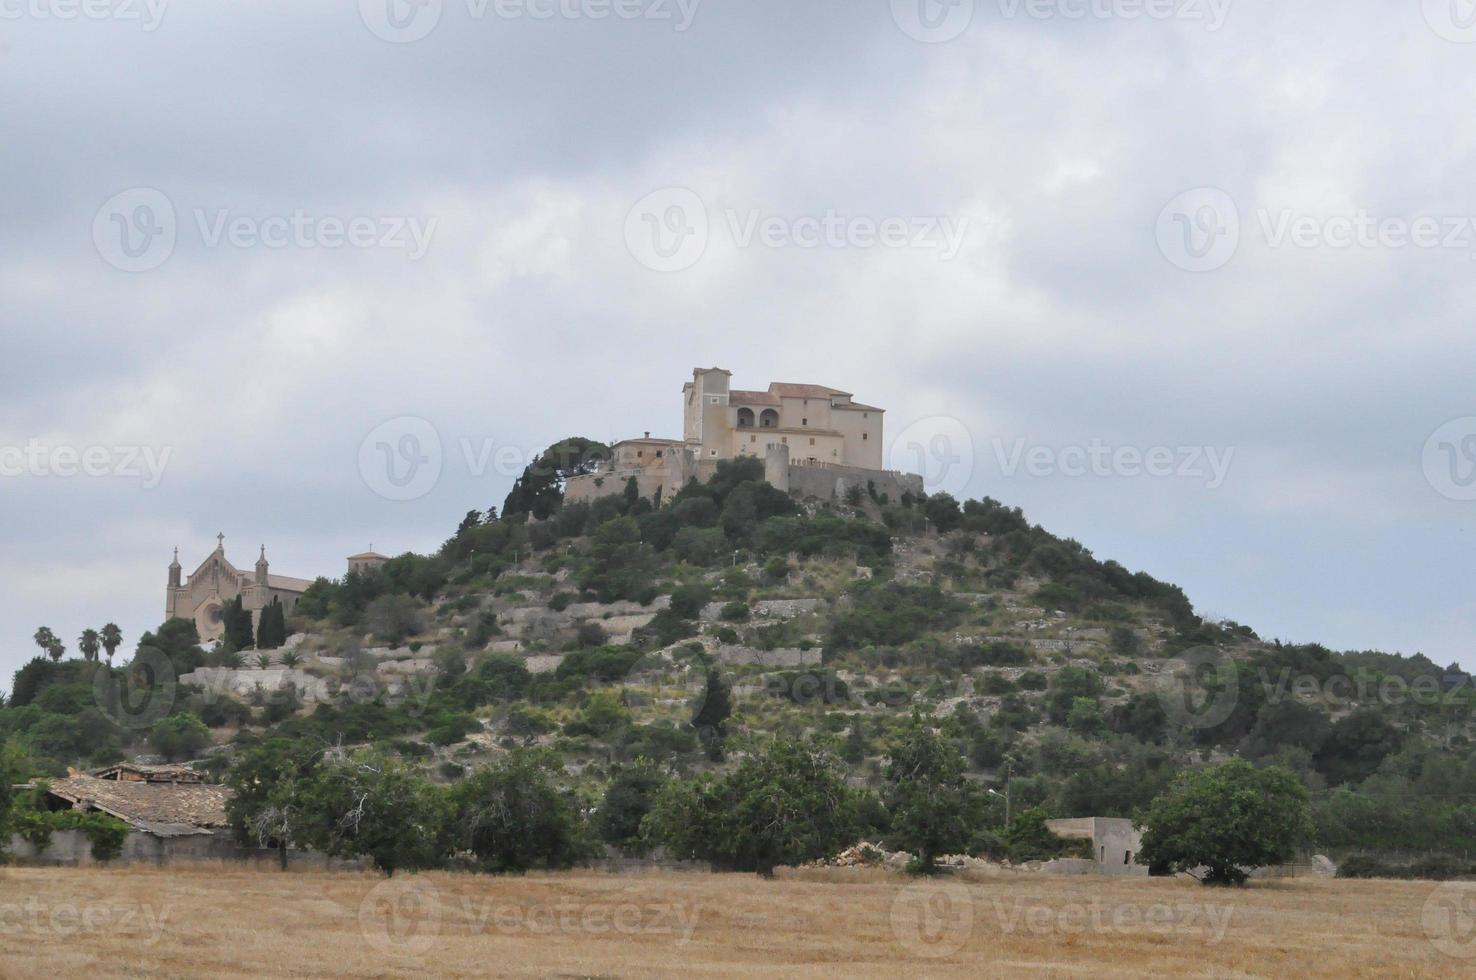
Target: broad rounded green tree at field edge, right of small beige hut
column 1227, row 818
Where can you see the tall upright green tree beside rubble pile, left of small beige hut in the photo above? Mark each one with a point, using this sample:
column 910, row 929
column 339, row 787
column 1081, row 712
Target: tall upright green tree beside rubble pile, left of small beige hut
column 931, row 802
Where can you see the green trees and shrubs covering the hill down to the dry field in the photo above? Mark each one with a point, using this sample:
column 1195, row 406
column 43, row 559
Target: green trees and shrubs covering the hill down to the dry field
column 968, row 656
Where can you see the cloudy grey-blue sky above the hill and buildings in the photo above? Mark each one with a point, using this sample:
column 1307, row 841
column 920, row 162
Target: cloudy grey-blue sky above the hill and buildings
column 1186, row 281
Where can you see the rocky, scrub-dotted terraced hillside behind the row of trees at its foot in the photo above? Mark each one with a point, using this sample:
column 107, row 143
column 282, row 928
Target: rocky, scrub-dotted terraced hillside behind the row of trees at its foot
column 616, row 632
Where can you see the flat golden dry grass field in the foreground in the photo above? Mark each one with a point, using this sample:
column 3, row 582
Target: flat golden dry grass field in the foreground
column 237, row 923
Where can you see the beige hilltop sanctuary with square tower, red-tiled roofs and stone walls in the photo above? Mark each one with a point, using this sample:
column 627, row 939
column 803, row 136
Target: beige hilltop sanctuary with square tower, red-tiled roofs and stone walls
column 814, row 442
